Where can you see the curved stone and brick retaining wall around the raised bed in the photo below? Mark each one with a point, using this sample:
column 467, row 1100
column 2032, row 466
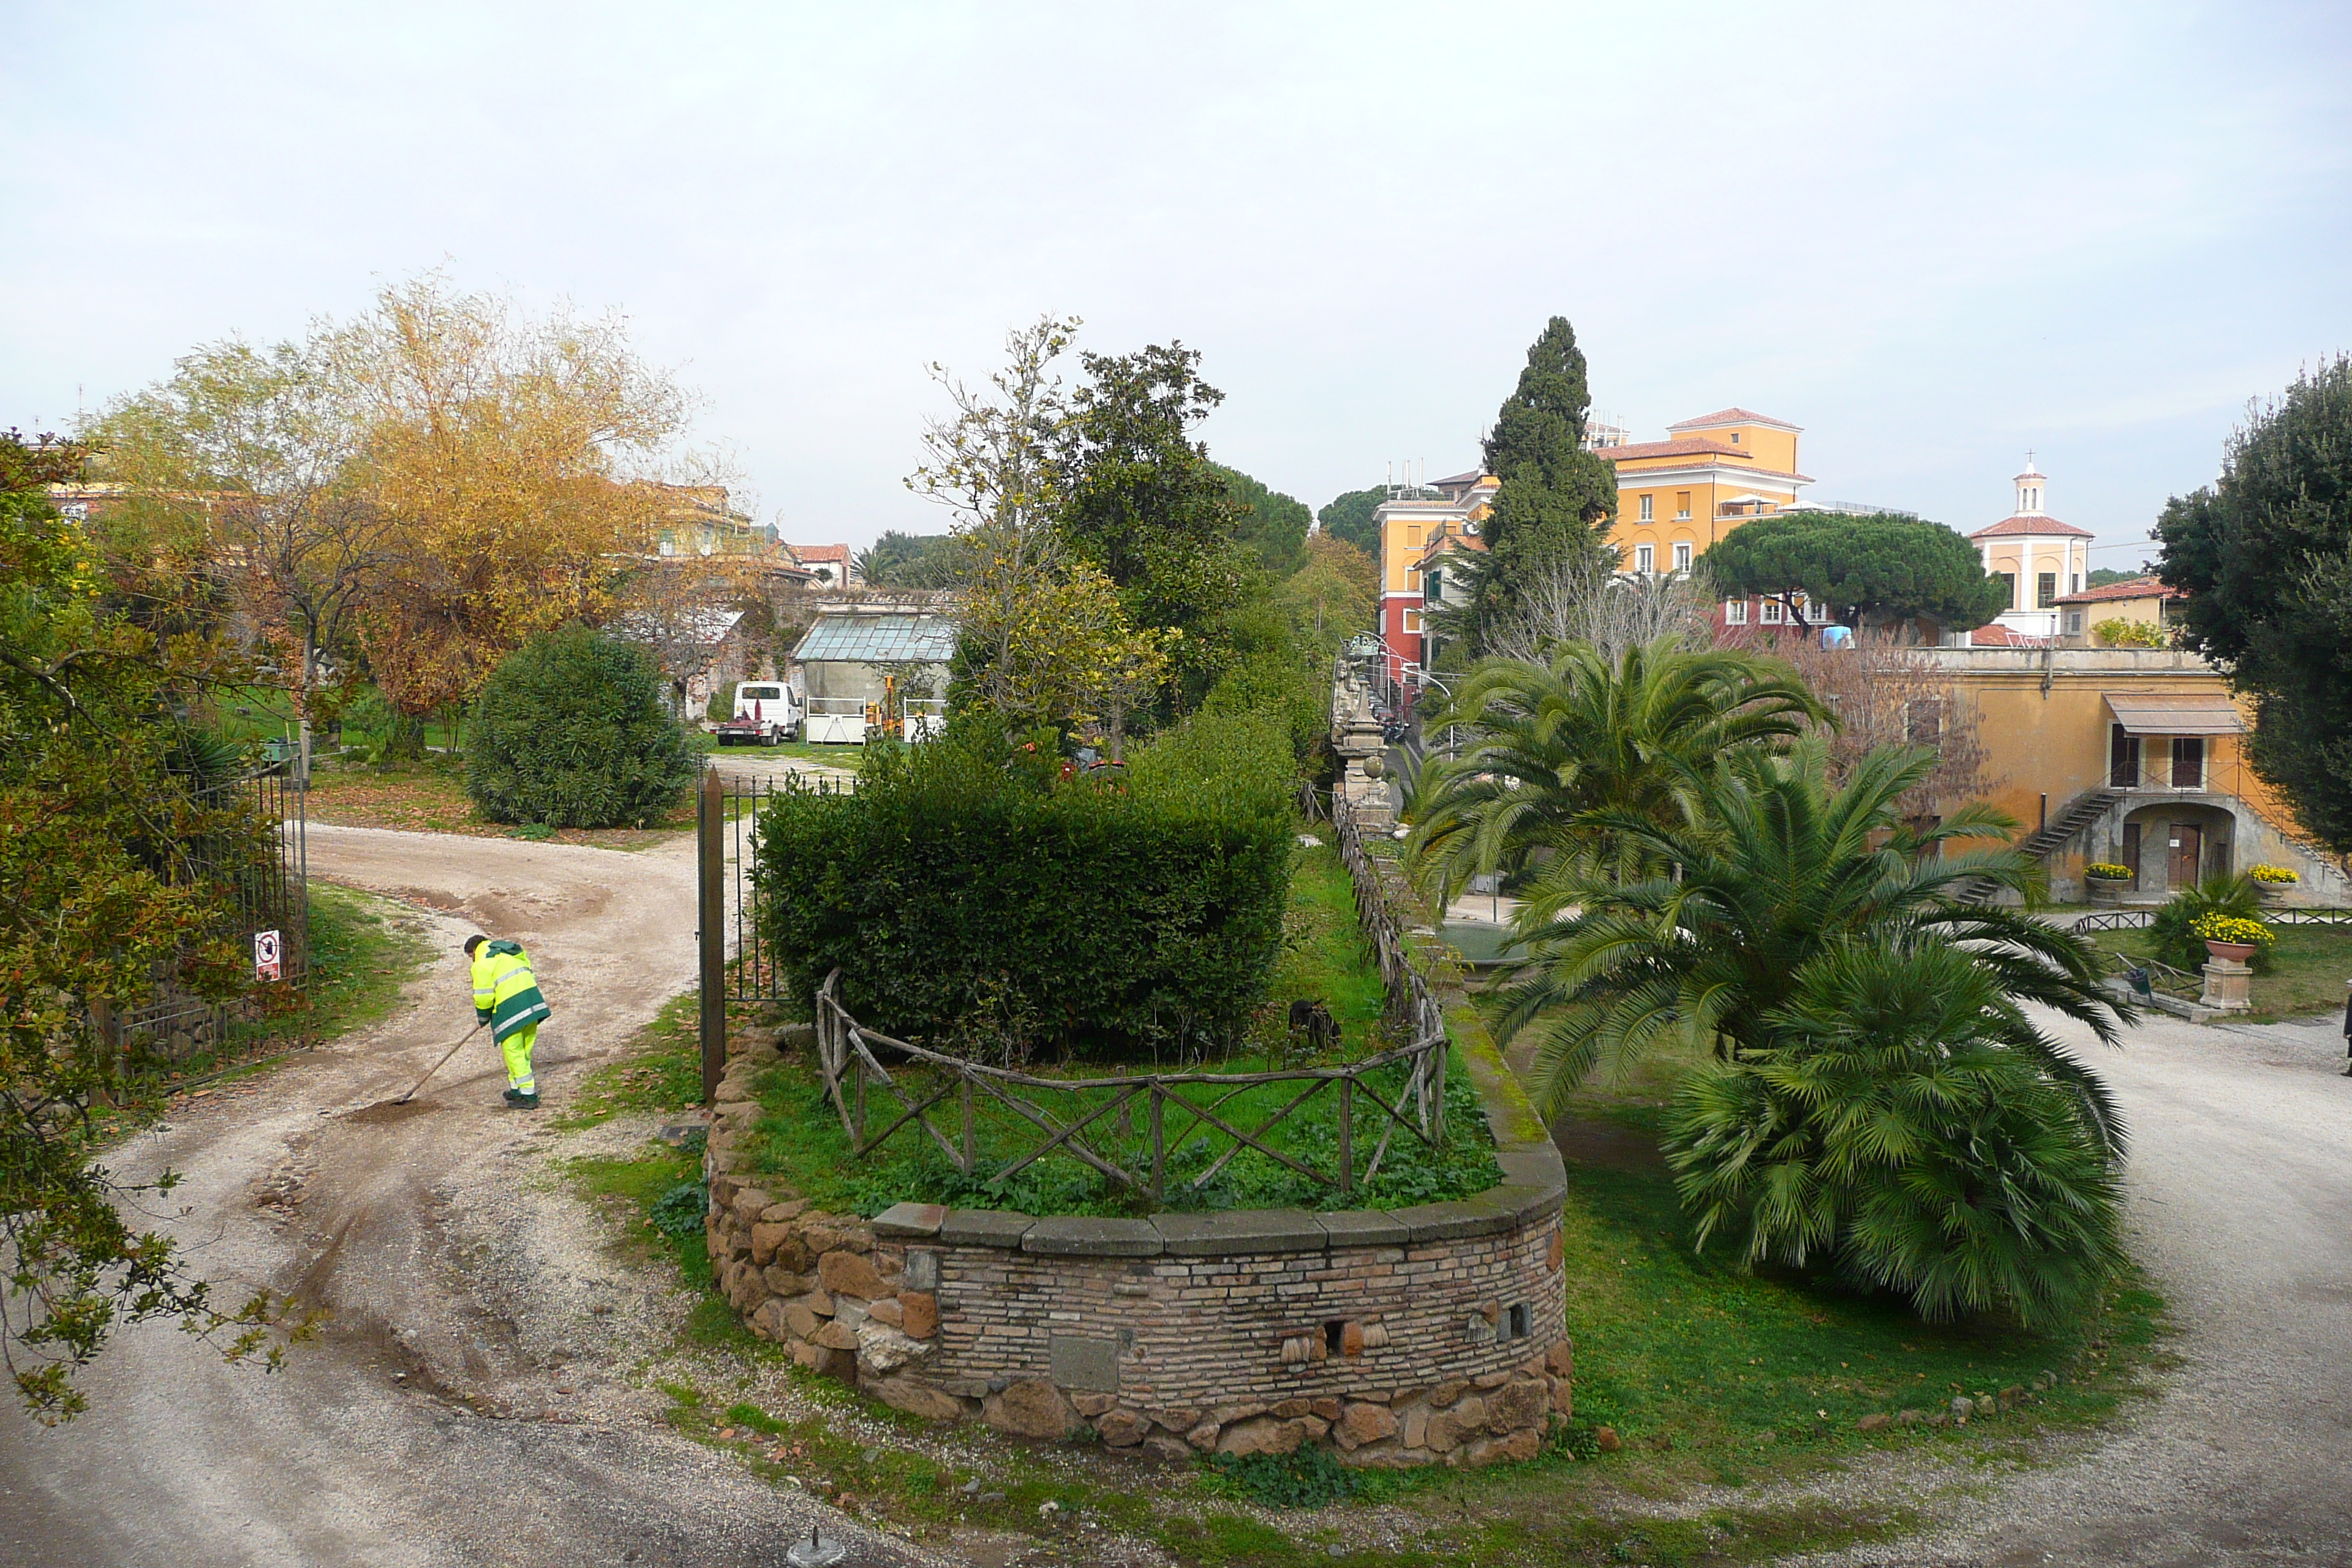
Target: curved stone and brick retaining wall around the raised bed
column 1412, row 1336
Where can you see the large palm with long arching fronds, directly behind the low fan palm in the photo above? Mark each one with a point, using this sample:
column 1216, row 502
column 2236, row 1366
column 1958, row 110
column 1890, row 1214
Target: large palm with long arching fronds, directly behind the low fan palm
column 1775, row 869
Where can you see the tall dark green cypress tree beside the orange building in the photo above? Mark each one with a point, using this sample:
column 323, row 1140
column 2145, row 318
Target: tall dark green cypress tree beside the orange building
column 1556, row 502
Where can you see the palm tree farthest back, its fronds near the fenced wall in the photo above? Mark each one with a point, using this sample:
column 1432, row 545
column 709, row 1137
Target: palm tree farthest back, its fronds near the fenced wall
column 1553, row 746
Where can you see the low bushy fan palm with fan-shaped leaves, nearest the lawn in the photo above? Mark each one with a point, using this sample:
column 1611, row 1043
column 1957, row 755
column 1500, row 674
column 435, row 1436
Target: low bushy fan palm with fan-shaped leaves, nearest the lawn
column 1902, row 1130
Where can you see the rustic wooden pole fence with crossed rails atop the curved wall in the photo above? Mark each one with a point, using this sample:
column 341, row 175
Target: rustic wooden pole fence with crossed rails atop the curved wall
column 1093, row 1120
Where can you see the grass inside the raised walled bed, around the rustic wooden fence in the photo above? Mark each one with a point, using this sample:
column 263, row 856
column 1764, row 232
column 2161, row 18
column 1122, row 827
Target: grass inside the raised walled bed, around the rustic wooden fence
column 1323, row 956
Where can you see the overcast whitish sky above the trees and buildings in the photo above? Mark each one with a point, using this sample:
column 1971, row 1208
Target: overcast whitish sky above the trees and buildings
column 1932, row 236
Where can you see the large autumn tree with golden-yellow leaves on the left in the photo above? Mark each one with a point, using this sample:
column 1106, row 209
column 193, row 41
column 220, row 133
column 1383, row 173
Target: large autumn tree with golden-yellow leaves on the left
column 427, row 485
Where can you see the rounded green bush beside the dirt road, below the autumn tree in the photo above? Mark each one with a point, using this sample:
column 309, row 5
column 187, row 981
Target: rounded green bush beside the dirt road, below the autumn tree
column 573, row 730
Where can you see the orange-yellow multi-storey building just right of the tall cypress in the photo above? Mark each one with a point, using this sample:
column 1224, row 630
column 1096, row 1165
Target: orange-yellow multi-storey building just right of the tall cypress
column 1711, row 476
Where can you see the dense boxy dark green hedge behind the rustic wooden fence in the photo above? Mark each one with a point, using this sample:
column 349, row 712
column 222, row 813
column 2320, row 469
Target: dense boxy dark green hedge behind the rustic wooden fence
column 982, row 904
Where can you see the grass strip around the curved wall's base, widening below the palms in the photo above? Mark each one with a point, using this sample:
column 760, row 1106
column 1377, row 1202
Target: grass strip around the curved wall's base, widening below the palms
column 1711, row 1376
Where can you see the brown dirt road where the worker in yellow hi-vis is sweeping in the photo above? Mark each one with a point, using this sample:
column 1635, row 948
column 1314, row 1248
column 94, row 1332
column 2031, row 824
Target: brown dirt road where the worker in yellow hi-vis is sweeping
column 450, row 1273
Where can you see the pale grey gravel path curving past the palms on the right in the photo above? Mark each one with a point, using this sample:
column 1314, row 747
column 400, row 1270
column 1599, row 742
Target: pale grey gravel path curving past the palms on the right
column 2243, row 1214
